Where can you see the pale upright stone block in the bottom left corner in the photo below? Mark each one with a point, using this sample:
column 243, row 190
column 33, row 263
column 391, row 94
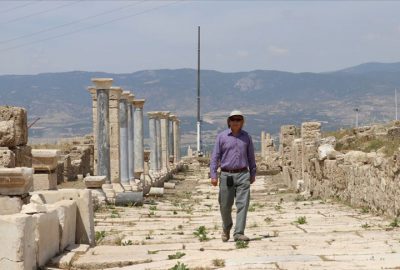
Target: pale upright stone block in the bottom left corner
column 18, row 247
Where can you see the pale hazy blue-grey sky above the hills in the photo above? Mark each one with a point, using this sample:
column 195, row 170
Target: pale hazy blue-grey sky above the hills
column 236, row 35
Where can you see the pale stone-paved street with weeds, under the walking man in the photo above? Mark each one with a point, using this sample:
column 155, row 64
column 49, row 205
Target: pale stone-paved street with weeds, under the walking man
column 287, row 232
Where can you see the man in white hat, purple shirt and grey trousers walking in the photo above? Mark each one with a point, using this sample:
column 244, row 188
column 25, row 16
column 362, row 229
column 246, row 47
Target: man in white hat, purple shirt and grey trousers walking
column 234, row 153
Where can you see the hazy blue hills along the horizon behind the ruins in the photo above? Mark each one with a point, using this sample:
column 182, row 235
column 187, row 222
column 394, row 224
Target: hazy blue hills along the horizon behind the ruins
column 269, row 98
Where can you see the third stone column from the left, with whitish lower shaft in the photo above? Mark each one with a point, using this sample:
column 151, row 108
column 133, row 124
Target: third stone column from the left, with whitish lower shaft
column 123, row 139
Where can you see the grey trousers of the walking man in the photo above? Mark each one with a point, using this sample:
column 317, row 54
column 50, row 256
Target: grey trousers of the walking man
column 240, row 190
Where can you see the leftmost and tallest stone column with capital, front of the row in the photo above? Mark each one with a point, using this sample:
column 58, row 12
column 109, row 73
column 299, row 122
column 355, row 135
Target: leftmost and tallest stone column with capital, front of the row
column 103, row 86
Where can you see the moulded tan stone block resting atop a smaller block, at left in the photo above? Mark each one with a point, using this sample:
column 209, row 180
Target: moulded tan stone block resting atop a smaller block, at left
column 45, row 159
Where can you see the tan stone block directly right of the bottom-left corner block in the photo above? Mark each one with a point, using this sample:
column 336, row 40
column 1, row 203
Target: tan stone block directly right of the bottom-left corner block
column 47, row 236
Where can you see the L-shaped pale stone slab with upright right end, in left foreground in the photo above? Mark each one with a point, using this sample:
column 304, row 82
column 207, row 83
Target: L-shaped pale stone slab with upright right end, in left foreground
column 85, row 216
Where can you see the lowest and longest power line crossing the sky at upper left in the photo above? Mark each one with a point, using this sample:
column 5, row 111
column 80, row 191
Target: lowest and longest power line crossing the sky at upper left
column 90, row 27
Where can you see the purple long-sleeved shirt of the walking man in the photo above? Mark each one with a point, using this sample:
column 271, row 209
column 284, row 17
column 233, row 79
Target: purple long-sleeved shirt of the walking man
column 233, row 152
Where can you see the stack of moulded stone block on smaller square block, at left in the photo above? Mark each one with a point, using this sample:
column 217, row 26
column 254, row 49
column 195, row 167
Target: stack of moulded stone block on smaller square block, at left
column 45, row 162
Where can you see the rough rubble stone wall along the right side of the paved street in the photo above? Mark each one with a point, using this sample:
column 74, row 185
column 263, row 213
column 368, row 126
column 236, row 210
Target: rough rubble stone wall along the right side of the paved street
column 312, row 166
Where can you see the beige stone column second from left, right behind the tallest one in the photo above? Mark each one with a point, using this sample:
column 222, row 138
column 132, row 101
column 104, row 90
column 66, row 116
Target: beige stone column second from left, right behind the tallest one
column 115, row 94
